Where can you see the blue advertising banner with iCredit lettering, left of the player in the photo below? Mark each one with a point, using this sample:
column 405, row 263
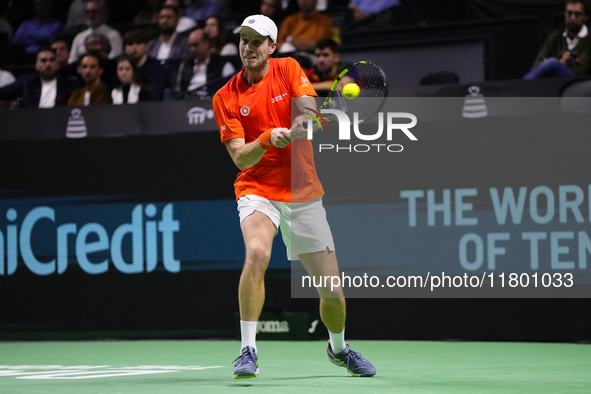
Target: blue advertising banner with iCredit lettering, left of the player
column 47, row 236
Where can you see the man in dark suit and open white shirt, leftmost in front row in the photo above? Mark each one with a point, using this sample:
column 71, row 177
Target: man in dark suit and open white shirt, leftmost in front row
column 45, row 89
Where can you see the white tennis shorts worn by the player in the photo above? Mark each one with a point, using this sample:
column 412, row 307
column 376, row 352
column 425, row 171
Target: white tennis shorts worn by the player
column 303, row 225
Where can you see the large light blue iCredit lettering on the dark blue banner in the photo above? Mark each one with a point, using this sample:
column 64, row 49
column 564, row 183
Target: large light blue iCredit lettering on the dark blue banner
column 143, row 231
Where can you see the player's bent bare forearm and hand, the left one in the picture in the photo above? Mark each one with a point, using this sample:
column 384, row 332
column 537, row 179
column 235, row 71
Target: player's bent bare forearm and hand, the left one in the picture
column 245, row 155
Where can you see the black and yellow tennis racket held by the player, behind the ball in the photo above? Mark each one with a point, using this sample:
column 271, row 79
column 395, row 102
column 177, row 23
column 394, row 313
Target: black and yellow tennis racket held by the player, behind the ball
column 373, row 90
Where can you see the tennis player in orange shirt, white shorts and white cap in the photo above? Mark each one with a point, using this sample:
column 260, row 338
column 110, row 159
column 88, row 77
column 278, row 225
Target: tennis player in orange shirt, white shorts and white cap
column 253, row 113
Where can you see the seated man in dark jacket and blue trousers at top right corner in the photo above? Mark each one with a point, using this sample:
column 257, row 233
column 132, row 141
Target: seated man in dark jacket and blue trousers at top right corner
column 567, row 52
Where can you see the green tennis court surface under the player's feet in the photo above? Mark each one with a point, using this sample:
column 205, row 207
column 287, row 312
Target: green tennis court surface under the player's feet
column 292, row 367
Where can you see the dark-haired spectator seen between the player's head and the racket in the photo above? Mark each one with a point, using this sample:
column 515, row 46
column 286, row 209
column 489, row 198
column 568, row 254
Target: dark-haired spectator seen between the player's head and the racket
column 328, row 65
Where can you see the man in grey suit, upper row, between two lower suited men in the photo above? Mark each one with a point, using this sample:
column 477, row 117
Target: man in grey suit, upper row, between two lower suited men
column 170, row 44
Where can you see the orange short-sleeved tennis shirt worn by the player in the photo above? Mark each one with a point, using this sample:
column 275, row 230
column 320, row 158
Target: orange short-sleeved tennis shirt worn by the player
column 242, row 111
